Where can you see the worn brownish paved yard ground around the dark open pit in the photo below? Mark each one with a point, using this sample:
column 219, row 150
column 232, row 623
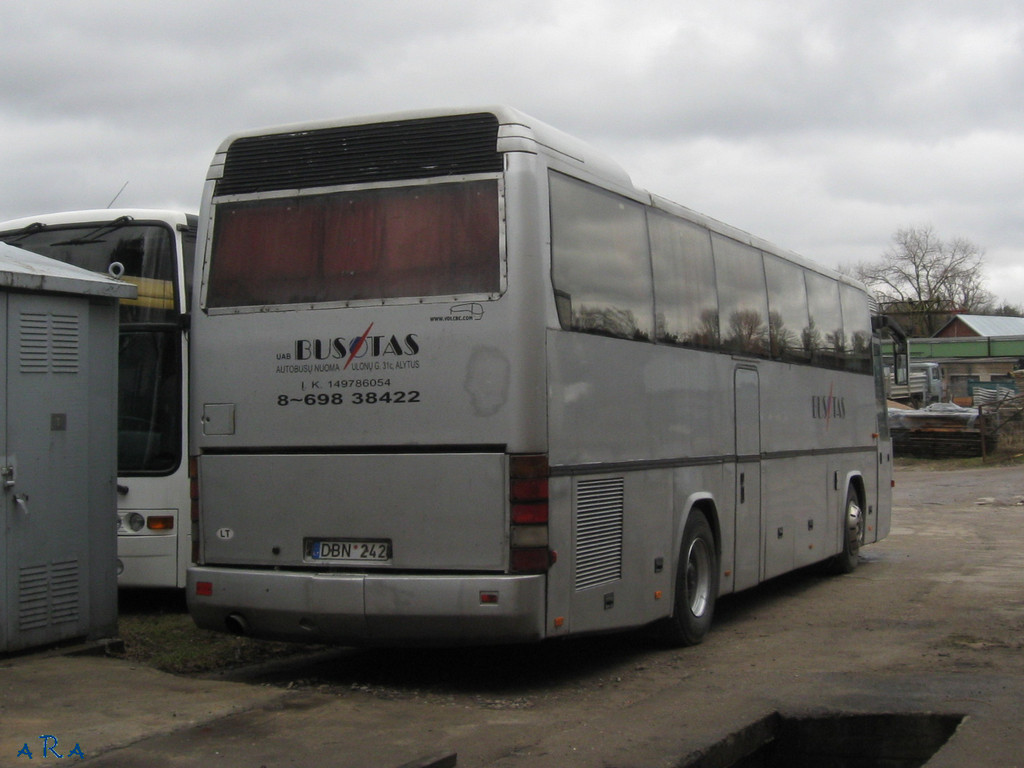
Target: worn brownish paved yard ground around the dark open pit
column 931, row 622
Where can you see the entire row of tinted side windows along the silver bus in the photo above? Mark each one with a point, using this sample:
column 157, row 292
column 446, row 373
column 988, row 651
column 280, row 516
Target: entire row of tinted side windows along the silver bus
column 711, row 291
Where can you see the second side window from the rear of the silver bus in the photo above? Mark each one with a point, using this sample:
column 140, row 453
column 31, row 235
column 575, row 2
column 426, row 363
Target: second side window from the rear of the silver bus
column 686, row 301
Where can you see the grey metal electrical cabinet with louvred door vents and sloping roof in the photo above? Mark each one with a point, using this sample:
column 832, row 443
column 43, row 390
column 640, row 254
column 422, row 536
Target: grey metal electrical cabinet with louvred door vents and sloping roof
column 59, row 370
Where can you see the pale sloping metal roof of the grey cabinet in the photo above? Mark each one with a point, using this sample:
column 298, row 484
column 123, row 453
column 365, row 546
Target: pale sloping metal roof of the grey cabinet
column 30, row 272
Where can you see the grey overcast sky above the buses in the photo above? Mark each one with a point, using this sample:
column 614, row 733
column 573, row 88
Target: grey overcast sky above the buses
column 824, row 126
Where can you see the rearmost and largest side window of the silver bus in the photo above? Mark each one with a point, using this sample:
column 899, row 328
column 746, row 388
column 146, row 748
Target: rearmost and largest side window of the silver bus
column 601, row 262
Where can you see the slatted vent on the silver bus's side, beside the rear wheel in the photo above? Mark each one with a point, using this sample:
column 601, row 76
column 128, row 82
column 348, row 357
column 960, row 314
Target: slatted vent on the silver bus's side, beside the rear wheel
column 600, row 532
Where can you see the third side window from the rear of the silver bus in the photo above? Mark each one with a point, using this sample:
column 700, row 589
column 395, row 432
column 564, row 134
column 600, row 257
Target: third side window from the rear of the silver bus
column 742, row 297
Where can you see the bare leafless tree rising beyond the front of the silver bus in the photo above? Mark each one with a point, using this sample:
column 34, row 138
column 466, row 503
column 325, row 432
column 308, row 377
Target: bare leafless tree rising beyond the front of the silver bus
column 925, row 281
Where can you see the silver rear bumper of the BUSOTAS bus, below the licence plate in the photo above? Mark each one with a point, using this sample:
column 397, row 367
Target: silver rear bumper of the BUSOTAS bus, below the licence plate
column 369, row 609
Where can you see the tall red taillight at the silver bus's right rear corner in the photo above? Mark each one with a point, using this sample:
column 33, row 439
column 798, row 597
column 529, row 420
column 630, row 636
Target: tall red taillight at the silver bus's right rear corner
column 529, row 499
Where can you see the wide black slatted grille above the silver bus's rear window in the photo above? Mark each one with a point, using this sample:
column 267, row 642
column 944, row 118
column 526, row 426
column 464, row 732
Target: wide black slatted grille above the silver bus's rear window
column 363, row 154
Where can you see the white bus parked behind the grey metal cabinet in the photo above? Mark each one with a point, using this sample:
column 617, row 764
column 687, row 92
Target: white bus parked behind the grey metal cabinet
column 155, row 250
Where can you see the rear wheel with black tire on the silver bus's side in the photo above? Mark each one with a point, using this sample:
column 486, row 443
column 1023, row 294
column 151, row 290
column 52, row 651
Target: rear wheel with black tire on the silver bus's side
column 697, row 585
